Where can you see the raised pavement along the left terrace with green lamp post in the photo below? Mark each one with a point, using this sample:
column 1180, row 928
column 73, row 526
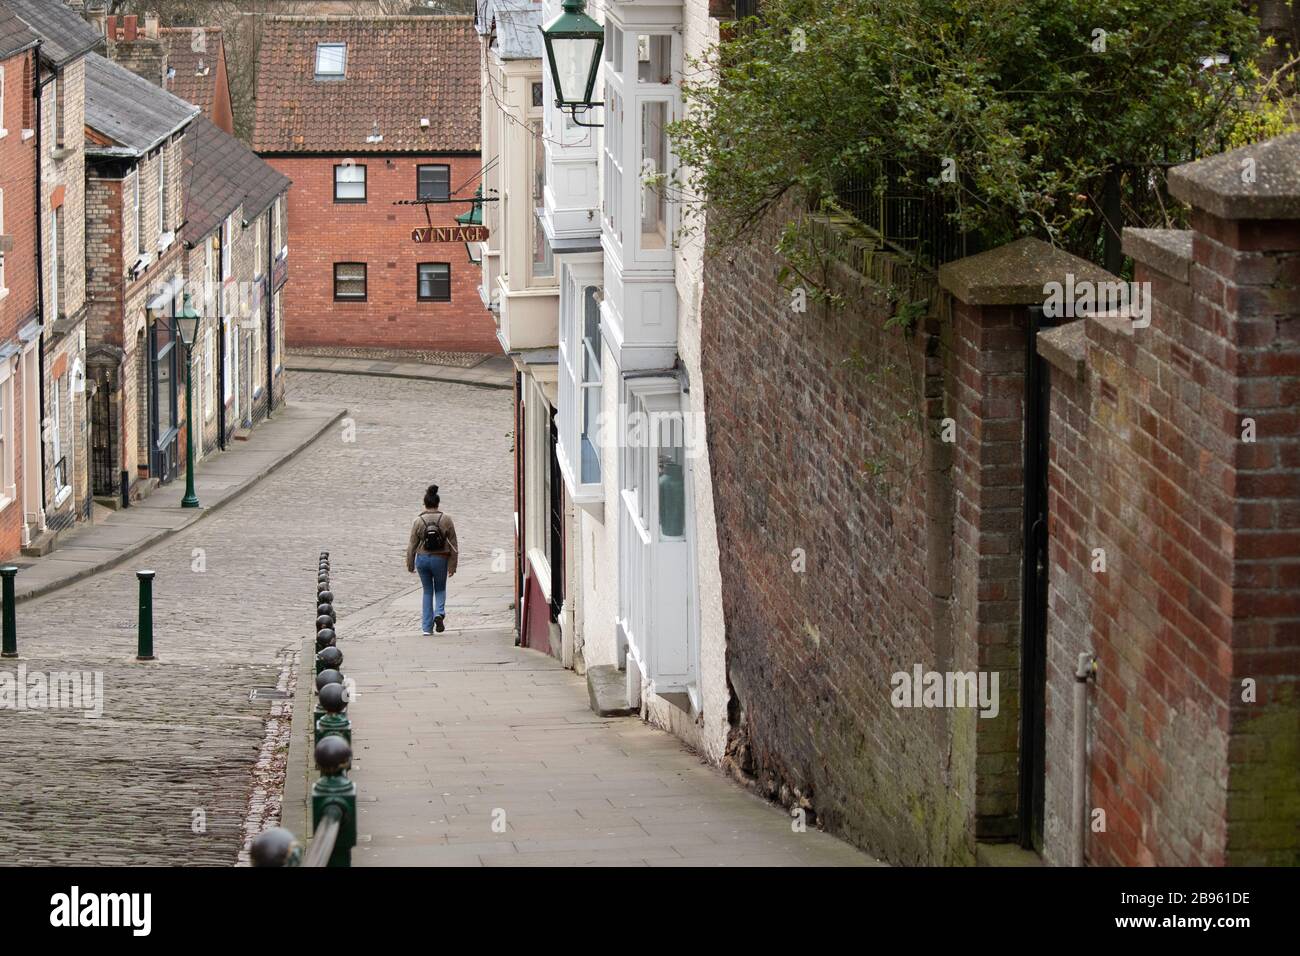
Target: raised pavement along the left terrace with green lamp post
column 220, row 478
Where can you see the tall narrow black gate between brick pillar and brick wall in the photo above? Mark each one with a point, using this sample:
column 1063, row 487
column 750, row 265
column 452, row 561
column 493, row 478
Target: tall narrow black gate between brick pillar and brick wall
column 1034, row 592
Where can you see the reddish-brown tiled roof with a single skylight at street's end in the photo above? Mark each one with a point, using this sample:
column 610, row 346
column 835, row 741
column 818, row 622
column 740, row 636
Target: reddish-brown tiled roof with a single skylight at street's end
column 400, row 70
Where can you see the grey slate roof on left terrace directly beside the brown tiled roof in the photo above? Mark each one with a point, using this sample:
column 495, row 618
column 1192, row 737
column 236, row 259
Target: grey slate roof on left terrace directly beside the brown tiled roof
column 131, row 111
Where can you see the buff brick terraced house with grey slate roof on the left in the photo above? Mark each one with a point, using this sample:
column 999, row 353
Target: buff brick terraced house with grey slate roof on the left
column 136, row 267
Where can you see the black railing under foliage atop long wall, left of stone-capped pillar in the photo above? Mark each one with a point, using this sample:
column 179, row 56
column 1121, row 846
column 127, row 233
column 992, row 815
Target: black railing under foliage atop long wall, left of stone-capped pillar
column 911, row 207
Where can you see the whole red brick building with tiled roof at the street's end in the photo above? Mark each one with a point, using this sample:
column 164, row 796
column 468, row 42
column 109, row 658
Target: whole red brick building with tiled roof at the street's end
column 363, row 114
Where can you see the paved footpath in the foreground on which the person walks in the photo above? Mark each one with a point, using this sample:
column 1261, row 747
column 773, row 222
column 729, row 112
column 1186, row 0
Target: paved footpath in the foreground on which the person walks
column 470, row 751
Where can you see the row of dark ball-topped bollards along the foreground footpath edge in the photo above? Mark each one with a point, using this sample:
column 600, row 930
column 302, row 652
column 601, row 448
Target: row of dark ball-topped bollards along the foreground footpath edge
column 333, row 795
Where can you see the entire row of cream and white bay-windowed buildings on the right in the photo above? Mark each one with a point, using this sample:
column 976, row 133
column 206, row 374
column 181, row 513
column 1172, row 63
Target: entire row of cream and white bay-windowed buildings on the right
column 597, row 292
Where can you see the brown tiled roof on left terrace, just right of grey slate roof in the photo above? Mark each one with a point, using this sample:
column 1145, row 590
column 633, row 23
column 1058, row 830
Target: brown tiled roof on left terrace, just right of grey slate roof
column 220, row 175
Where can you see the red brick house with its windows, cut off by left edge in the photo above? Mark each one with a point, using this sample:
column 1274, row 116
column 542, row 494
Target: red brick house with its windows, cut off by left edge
column 20, row 322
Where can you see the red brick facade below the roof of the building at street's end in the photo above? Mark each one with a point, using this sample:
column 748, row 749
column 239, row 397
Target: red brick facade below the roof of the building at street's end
column 323, row 232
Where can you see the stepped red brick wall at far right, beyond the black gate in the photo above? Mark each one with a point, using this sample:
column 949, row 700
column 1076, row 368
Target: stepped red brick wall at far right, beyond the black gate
column 1202, row 581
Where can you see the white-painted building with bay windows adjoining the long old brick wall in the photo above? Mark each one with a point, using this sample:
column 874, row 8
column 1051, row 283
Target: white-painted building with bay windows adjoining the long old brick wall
column 645, row 592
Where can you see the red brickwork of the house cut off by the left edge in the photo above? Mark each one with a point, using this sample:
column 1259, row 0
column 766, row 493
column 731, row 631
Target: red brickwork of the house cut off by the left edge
column 19, row 181
